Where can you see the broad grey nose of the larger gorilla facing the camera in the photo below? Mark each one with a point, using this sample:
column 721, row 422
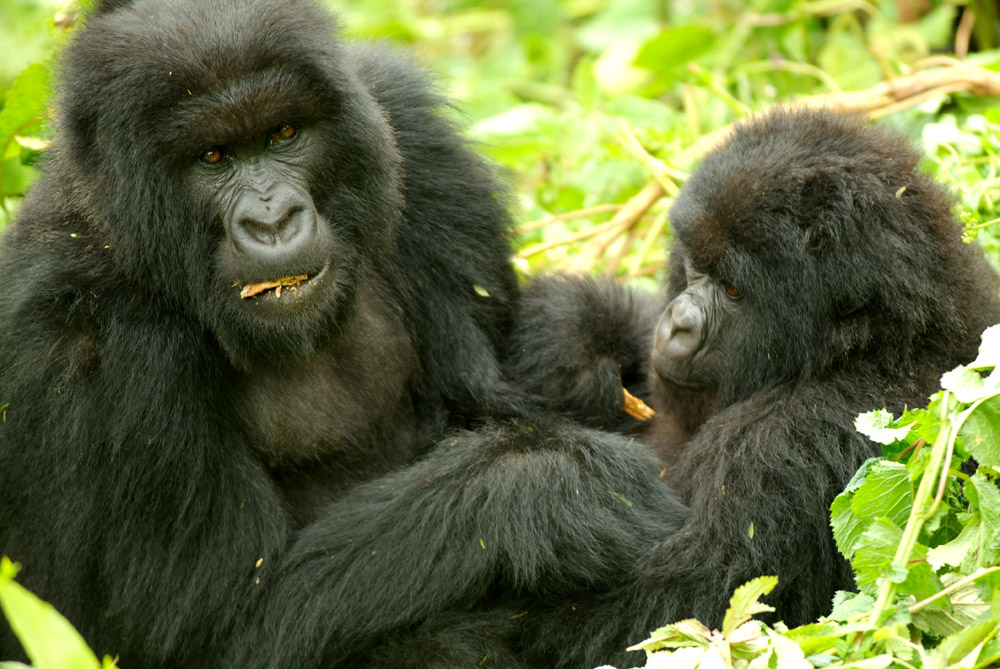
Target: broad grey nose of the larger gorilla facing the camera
column 273, row 226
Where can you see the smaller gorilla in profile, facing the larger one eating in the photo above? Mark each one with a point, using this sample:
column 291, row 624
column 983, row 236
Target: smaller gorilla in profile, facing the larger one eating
column 816, row 273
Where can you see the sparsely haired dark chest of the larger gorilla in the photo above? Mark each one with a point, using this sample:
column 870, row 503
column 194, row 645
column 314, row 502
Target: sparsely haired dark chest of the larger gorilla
column 343, row 410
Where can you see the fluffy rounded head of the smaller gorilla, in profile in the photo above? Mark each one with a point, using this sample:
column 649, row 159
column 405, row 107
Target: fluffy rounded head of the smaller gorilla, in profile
column 807, row 241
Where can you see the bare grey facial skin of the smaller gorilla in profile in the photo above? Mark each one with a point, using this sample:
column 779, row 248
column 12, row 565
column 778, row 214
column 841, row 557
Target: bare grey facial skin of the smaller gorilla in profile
column 688, row 348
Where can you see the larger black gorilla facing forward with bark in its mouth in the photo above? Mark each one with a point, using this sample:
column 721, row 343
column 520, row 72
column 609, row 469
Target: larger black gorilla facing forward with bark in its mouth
column 260, row 278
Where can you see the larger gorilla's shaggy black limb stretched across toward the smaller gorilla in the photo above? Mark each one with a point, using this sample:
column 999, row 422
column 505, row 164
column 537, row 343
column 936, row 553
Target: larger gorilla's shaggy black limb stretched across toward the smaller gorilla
column 522, row 507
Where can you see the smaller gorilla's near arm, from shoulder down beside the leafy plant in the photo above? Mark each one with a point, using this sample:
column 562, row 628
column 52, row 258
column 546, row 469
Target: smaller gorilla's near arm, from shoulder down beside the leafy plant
column 759, row 493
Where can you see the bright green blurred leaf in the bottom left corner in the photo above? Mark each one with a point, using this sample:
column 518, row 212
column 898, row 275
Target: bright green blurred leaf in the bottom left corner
column 48, row 639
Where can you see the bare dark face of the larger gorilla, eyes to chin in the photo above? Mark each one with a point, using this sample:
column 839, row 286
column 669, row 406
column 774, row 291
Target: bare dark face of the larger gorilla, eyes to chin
column 272, row 227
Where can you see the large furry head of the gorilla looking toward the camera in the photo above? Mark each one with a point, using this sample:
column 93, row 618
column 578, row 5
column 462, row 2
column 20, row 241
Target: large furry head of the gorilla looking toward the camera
column 273, row 167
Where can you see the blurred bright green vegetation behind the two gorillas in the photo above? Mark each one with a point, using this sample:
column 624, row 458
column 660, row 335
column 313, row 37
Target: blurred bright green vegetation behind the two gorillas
column 585, row 102
